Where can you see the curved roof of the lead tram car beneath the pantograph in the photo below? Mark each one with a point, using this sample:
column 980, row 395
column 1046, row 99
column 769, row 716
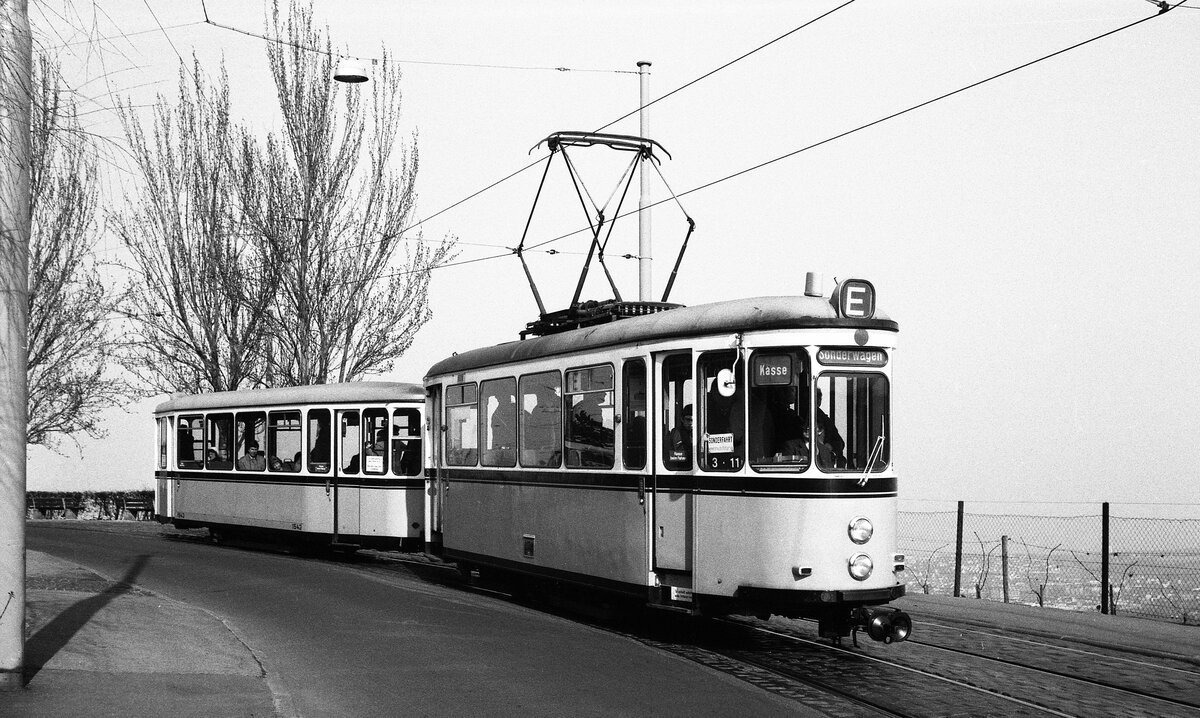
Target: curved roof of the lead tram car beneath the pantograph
column 759, row 314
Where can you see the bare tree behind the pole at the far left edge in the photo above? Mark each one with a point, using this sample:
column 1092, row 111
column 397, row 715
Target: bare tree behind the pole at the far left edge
column 71, row 342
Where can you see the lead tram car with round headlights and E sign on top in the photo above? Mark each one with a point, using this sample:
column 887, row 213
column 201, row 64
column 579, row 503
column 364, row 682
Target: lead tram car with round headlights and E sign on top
column 568, row 458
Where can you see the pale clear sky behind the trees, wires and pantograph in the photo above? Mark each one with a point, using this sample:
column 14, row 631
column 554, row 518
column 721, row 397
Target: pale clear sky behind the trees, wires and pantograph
column 1035, row 236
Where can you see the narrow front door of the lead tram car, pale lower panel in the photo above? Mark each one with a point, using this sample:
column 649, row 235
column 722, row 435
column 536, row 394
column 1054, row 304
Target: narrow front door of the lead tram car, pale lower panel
column 674, row 481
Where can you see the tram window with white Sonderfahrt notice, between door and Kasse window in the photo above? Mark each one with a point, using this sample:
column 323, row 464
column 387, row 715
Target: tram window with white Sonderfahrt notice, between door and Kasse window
column 723, row 426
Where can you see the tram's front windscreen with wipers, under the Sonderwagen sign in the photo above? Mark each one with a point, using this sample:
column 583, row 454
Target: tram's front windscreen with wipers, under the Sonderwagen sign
column 853, row 422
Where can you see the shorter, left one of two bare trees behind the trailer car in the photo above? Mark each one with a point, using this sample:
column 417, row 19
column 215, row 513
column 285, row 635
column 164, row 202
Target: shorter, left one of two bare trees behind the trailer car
column 202, row 284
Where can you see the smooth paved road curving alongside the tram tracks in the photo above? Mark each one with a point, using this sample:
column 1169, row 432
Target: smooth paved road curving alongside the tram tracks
column 339, row 639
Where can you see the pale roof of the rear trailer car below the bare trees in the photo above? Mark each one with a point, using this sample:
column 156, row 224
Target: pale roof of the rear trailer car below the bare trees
column 344, row 393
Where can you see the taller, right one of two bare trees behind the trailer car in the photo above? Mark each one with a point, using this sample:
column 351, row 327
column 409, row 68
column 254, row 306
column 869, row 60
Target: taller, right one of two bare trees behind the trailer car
column 335, row 193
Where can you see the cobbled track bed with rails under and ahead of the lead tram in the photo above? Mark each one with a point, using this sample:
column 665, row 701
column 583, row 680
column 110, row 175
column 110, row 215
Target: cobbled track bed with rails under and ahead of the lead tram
column 949, row 671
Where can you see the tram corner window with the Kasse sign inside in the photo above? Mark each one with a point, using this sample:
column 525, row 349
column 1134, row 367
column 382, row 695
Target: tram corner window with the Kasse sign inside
column 779, row 411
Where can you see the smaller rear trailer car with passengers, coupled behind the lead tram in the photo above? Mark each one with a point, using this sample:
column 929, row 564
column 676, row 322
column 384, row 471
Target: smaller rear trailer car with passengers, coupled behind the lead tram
column 341, row 462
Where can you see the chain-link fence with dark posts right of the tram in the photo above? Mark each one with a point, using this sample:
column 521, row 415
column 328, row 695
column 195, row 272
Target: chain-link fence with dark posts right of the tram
column 1150, row 566
